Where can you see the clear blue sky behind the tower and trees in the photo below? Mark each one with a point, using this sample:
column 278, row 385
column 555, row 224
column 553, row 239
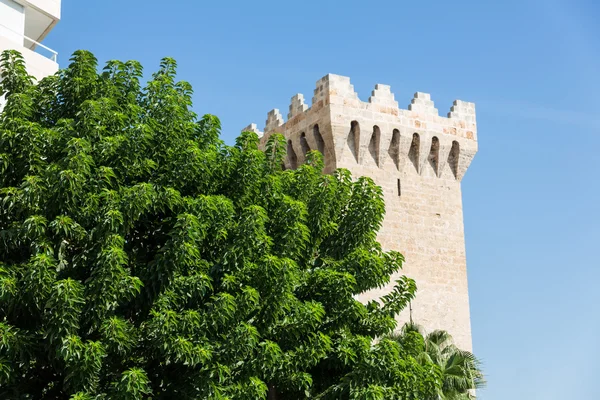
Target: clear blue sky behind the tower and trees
column 531, row 196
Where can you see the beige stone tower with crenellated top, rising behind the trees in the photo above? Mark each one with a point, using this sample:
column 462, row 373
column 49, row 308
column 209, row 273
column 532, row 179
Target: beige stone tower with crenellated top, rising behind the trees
column 419, row 159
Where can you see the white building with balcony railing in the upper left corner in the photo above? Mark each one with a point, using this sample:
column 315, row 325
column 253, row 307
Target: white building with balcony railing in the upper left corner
column 23, row 26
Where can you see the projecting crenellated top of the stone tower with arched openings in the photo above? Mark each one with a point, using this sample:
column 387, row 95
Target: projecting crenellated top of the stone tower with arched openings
column 376, row 132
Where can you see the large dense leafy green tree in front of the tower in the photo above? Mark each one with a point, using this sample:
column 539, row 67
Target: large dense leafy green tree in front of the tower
column 141, row 257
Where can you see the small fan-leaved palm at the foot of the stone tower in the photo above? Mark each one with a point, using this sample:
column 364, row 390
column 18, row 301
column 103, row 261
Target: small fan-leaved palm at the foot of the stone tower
column 461, row 370
